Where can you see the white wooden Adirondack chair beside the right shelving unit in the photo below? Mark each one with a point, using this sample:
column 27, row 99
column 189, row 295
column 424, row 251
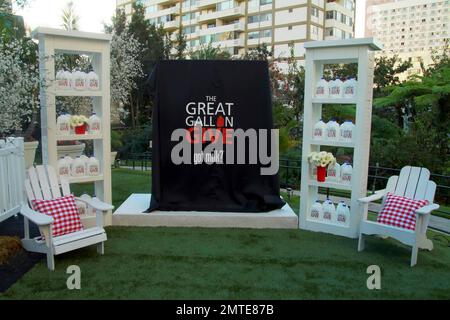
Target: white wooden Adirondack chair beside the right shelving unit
column 413, row 183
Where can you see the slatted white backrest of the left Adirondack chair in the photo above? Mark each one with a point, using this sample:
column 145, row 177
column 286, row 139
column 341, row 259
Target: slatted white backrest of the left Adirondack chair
column 43, row 184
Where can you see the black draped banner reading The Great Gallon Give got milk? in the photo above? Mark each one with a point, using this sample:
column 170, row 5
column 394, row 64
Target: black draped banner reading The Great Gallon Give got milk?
column 212, row 129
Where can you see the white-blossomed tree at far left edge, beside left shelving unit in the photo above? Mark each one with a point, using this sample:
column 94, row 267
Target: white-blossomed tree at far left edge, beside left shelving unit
column 19, row 84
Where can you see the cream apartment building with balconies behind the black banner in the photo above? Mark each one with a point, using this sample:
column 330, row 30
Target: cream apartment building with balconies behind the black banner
column 240, row 25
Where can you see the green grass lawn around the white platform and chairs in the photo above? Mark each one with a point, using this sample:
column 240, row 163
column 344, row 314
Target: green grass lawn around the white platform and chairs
column 176, row 263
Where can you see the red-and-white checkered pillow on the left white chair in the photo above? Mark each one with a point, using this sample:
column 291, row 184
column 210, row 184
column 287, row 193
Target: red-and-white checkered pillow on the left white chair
column 64, row 213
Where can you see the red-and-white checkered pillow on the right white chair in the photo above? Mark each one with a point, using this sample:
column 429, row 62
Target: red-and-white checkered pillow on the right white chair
column 400, row 211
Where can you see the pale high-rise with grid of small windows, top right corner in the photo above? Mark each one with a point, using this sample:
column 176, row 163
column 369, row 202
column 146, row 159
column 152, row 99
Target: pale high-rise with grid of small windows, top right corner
column 409, row 28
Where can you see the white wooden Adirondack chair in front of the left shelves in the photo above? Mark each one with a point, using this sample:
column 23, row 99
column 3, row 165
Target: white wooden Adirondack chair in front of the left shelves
column 42, row 183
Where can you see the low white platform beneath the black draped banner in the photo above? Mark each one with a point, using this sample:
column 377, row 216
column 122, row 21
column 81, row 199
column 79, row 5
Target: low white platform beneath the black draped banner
column 131, row 213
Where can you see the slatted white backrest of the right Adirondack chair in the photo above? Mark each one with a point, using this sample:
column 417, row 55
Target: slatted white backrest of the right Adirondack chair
column 413, row 183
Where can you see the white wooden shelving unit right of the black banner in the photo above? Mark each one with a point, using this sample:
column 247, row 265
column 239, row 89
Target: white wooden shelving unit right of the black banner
column 319, row 54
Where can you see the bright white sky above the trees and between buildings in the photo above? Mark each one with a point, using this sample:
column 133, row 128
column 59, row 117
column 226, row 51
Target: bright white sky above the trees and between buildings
column 93, row 13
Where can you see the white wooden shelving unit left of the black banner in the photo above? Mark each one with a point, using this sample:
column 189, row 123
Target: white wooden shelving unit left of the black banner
column 97, row 46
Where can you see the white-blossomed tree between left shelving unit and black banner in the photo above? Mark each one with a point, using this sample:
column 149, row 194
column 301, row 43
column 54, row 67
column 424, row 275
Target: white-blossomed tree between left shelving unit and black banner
column 126, row 68
